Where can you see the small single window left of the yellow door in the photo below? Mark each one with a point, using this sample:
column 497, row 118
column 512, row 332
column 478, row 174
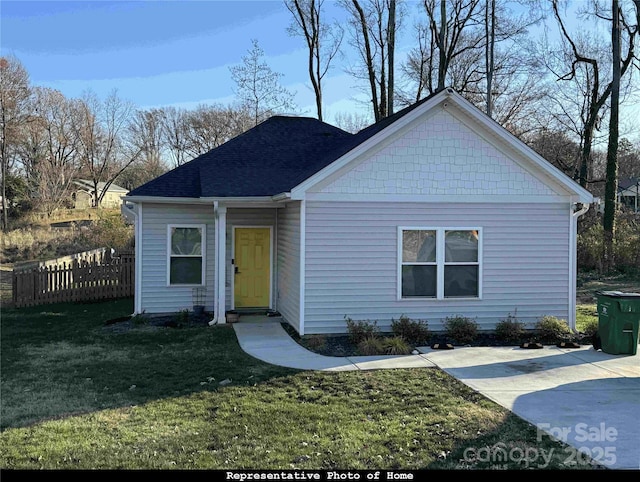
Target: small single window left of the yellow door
column 186, row 252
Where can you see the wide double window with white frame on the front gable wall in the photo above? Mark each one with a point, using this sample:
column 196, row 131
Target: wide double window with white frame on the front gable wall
column 439, row 262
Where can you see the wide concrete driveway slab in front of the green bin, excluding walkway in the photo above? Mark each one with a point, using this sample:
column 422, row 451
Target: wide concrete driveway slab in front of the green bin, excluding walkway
column 588, row 399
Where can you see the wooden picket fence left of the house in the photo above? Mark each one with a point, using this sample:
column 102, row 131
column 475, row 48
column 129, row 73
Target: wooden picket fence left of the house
column 98, row 277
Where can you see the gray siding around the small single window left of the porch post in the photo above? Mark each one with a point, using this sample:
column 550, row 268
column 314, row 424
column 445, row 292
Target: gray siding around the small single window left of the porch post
column 156, row 296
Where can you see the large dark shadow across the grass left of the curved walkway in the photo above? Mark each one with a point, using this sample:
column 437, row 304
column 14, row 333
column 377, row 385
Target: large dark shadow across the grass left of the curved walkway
column 64, row 359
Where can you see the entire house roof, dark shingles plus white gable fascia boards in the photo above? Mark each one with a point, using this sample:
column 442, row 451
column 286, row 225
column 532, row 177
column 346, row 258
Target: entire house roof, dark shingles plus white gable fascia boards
column 283, row 153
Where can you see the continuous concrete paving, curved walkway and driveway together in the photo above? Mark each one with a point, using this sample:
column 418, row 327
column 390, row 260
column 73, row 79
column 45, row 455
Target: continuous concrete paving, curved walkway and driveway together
column 587, row 398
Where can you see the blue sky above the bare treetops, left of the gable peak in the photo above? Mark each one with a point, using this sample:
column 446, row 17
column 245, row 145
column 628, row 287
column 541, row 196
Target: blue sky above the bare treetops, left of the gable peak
column 158, row 53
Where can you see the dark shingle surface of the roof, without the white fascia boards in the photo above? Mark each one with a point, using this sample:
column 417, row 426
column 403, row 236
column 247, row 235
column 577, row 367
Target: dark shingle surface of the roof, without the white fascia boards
column 272, row 158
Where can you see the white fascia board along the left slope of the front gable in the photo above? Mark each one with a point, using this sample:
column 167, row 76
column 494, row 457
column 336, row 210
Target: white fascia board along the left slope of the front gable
column 298, row 192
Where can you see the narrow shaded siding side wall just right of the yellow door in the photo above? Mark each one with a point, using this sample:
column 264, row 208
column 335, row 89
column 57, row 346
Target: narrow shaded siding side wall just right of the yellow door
column 288, row 259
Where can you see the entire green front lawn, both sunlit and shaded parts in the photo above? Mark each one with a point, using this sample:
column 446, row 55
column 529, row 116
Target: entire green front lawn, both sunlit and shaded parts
column 78, row 394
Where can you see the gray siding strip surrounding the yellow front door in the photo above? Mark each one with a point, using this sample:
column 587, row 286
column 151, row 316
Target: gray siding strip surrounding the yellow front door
column 239, row 217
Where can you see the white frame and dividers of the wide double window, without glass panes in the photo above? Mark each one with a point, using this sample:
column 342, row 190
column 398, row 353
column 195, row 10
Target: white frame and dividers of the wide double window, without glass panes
column 440, row 262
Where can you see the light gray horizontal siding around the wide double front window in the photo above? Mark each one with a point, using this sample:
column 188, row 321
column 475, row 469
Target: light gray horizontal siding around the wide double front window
column 352, row 262
